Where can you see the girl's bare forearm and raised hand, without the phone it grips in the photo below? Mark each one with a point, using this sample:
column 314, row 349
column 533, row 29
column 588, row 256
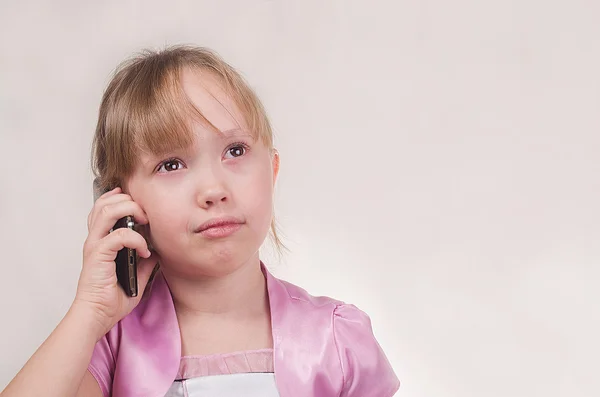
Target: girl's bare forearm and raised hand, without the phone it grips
column 59, row 366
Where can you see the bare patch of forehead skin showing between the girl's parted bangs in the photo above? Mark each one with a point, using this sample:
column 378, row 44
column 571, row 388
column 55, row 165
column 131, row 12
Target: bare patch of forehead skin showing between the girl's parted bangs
column 208, row 96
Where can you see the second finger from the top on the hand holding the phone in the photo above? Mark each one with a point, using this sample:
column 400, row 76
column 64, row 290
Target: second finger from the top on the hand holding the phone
column 108, row 216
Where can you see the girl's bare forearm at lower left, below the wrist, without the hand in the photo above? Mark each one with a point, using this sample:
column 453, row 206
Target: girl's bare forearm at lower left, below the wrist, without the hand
column 61, row 361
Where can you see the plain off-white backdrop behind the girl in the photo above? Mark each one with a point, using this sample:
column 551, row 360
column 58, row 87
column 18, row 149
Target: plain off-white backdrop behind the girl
column 439, row 169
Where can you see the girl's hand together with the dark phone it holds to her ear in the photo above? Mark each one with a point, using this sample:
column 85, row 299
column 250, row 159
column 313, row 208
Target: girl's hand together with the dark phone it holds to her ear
column 116, row 258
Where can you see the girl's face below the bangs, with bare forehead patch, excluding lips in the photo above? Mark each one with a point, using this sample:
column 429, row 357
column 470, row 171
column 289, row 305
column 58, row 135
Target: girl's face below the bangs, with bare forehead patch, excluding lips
column 224, row 175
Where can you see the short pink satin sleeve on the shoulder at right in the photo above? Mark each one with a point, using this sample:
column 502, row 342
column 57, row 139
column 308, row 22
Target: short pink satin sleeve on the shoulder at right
column 366, row 370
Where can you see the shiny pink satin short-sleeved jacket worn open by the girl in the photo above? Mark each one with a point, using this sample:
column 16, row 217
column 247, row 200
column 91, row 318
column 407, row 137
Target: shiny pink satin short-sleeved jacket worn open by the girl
column 322, row 347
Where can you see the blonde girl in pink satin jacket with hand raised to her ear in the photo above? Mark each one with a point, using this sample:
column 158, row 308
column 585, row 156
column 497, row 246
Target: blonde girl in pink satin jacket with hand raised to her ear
column 184, row 145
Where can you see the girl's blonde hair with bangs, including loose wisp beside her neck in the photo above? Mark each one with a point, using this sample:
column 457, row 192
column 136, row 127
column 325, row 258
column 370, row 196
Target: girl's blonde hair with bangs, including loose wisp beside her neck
column 145, row 107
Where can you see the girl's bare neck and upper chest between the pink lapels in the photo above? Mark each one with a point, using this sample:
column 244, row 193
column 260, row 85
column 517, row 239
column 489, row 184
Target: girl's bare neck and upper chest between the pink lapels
column 241, row 293
